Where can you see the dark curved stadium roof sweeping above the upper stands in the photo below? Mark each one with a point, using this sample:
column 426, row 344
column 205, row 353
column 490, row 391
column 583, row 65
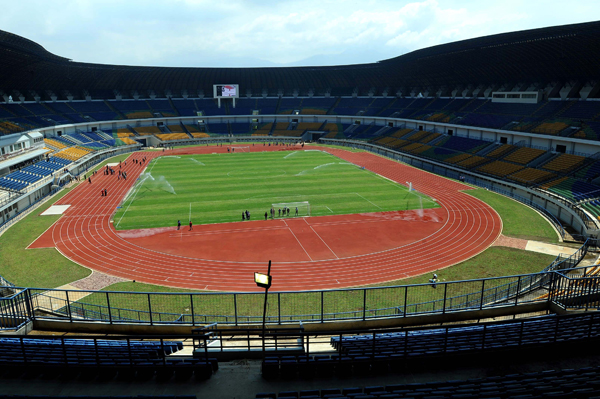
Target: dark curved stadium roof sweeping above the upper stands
column 540, row 56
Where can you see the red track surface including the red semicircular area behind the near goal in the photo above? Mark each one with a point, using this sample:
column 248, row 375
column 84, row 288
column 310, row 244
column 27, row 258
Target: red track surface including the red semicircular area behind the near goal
column 85, row 234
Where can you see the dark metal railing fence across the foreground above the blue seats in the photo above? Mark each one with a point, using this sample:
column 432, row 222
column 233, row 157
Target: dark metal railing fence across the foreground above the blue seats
column 290, row 307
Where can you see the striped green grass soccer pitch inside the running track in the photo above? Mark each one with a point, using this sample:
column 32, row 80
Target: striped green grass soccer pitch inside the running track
column 217, row 188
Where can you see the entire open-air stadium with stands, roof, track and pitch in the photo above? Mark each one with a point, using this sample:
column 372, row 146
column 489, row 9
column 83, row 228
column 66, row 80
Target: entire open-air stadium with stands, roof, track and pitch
column 127, row 269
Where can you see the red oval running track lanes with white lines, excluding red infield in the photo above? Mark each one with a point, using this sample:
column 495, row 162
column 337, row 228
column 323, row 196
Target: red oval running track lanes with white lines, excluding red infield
column 86, row 235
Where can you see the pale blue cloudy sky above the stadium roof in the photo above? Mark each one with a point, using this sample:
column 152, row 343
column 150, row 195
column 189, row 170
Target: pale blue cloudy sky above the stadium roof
column 262, row 33
